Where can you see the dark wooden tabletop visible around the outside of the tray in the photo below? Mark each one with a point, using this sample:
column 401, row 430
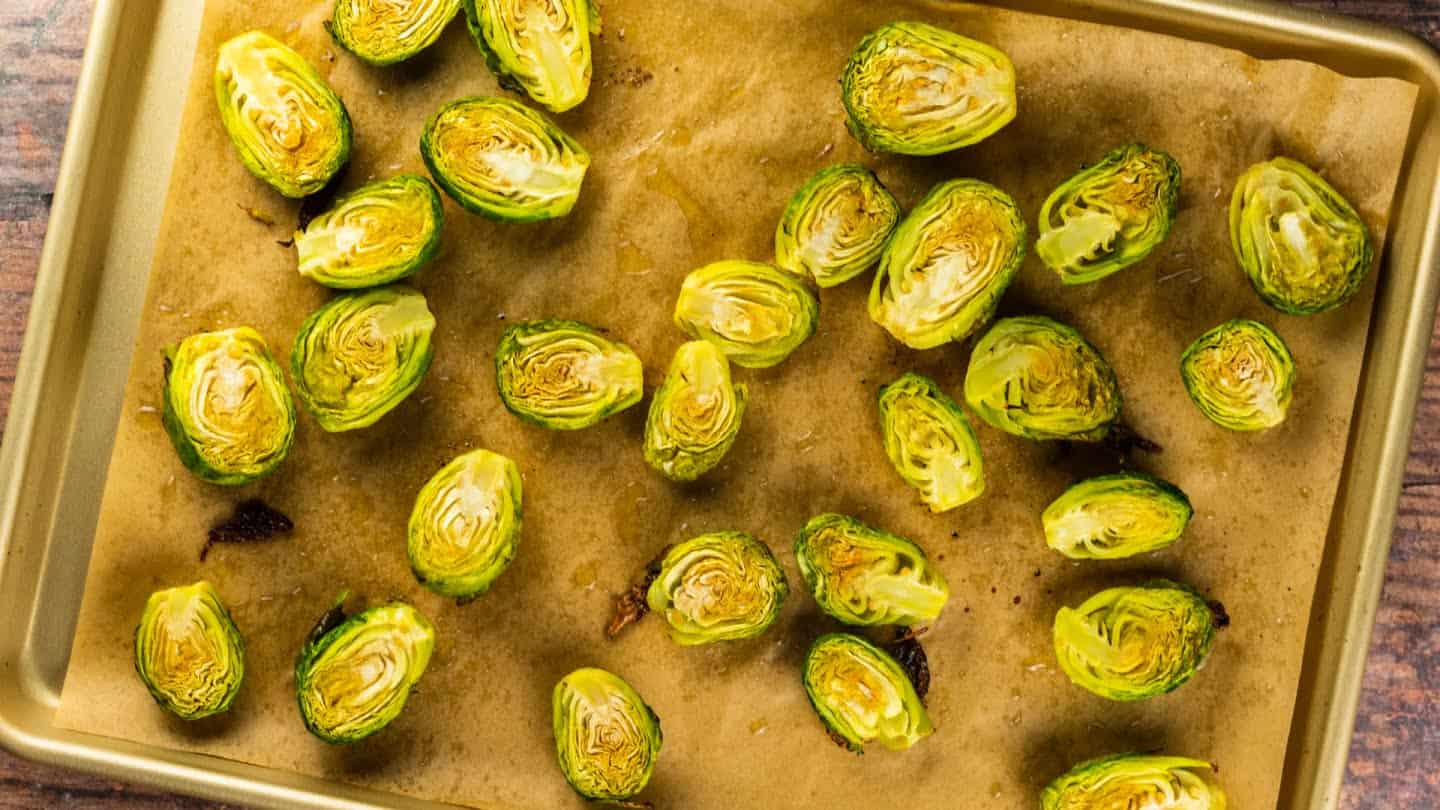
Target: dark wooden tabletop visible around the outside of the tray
column 1396, row 757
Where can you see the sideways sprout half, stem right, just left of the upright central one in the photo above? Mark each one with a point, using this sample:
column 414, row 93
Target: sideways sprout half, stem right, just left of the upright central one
column 567, row 375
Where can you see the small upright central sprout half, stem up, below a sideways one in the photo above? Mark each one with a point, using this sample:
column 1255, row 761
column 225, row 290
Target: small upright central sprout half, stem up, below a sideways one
column 695, row 416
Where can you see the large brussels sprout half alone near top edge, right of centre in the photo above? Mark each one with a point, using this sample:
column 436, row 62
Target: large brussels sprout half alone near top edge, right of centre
column 912, row 89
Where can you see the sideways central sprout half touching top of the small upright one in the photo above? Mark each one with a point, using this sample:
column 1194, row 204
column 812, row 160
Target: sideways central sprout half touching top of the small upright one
column 755, row 313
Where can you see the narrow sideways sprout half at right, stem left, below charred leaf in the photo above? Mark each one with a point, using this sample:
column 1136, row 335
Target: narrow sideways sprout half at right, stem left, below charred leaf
column 1117, row 517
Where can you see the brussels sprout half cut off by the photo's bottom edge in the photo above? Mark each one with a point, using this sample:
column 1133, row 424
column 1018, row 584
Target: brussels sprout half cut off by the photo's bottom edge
column 1135, row 780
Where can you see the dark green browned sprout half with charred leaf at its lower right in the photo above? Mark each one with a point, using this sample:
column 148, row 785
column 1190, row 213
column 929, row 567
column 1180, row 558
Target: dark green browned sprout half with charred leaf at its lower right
column 1040, row 380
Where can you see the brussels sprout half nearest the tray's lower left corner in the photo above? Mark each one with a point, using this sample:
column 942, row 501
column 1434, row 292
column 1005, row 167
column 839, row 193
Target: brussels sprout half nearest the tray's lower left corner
column 189, row 654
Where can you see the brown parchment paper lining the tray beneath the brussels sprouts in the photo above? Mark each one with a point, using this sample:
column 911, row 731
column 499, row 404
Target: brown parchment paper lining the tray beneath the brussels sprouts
column 703, row 120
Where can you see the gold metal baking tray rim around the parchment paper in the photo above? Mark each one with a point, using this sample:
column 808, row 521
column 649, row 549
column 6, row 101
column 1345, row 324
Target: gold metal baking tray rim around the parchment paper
column 93, row 282
